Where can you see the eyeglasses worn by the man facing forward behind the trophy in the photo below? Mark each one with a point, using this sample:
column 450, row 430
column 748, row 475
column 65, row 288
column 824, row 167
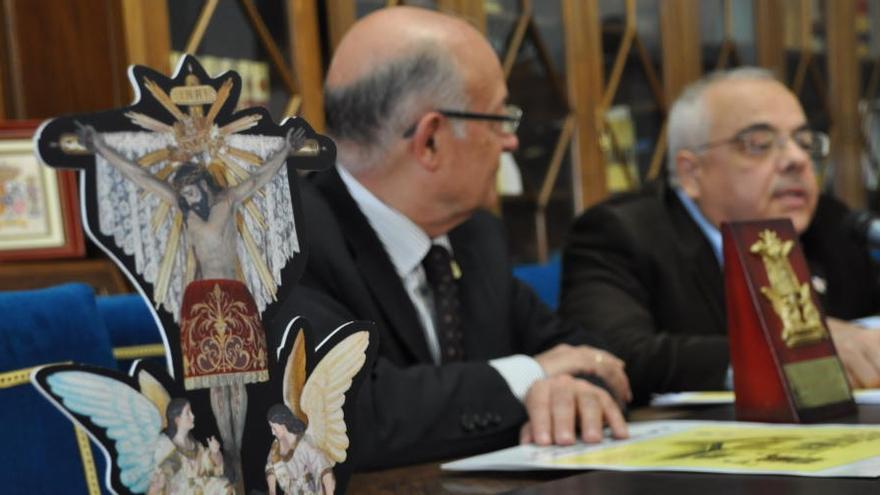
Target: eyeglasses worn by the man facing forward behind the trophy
column 762, row 140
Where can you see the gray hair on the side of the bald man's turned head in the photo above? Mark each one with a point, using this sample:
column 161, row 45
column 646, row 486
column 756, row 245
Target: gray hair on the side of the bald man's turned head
column 368, row 115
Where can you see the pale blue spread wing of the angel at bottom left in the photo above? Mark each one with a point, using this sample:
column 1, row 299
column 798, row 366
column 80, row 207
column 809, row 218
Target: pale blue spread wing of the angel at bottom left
column 130, row 419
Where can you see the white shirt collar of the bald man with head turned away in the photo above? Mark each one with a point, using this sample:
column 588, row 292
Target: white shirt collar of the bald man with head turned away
column 404, row 241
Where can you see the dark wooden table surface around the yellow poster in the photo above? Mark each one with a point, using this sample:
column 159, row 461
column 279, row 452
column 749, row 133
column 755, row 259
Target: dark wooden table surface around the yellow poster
column 429, row 479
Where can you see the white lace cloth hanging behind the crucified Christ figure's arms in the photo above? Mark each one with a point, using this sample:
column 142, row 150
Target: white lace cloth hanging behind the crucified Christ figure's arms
column 151, row 231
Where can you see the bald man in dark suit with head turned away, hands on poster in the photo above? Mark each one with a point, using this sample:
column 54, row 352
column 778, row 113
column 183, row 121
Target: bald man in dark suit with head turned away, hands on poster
column 469, row 359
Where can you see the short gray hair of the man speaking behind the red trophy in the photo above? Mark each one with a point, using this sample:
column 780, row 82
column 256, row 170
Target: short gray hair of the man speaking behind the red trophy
column 689, row 120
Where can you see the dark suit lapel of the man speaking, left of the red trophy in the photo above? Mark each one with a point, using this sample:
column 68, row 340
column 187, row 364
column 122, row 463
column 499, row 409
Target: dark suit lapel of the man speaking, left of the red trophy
column 699, row 257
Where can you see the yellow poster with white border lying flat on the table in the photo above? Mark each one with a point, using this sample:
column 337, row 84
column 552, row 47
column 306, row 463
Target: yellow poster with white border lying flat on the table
column 707, row 447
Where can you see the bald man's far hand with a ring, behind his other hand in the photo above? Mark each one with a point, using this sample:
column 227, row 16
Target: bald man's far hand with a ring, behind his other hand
column 586, row 360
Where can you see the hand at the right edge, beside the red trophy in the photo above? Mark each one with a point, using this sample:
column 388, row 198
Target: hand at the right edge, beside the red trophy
column 859, row 349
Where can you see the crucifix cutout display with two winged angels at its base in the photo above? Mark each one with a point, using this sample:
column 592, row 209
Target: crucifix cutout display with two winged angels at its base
column 199, row 207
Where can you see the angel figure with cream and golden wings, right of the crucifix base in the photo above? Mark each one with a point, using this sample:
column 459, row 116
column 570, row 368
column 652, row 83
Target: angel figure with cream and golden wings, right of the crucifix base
column 309, row 428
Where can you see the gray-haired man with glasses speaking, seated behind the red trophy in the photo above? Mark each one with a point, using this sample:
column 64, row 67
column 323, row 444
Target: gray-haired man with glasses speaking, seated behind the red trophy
column 644, row 269
